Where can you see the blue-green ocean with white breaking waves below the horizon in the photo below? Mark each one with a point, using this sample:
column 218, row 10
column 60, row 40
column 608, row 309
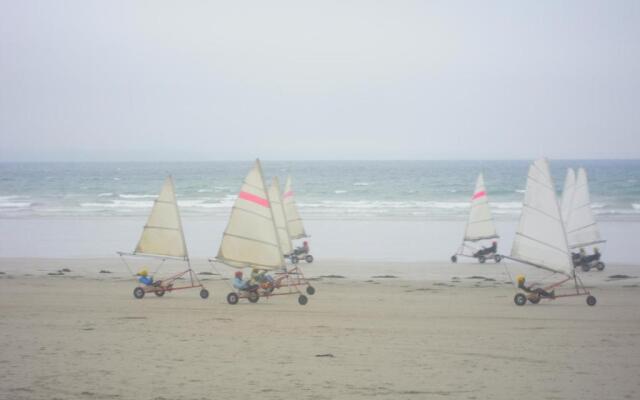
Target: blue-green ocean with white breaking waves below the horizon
column 325, row 190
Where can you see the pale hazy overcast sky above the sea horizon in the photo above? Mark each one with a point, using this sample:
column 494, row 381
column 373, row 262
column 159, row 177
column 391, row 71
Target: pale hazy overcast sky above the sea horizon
column 108, row 80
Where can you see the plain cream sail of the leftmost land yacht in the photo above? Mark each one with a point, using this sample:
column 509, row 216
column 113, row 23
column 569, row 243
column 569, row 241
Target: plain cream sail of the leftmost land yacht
column 163, row 235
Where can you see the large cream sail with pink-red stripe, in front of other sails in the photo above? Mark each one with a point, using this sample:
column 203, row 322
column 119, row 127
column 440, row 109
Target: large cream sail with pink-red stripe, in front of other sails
column 250, row 239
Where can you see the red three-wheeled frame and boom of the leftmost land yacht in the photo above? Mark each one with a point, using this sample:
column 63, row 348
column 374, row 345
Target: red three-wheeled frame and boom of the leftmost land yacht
column 160, row 287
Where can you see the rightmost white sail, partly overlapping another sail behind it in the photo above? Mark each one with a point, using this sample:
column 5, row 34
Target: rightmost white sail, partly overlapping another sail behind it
column 582, row 229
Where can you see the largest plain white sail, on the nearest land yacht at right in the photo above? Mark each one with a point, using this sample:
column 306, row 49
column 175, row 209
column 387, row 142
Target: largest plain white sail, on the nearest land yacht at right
column 541, row 239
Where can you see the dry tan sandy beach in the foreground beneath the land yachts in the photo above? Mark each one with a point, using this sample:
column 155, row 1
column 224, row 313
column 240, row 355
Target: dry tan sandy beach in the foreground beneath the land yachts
column 83, row 335
